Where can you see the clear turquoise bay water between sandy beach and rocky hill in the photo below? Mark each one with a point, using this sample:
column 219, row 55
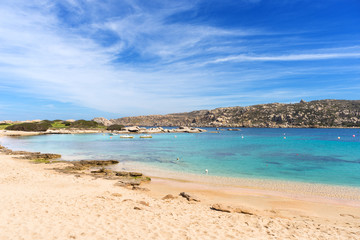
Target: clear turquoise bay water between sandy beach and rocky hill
column 306, row 155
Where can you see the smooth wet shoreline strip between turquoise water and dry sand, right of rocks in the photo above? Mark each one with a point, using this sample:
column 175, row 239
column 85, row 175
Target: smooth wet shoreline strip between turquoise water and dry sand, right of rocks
column 317, row 192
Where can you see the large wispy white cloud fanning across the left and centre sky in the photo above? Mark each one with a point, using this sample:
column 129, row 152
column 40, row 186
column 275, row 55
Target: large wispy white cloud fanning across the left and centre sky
column 137, row 58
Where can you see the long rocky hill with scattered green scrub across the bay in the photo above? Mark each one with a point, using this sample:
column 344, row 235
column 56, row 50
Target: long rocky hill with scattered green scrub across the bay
column 320, row 113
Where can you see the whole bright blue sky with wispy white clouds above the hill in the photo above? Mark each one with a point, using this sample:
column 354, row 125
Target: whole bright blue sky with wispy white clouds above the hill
column 62, row 59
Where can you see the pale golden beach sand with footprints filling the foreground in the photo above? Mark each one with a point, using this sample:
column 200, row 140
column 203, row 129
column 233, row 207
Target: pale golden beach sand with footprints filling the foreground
column 40, row 203
